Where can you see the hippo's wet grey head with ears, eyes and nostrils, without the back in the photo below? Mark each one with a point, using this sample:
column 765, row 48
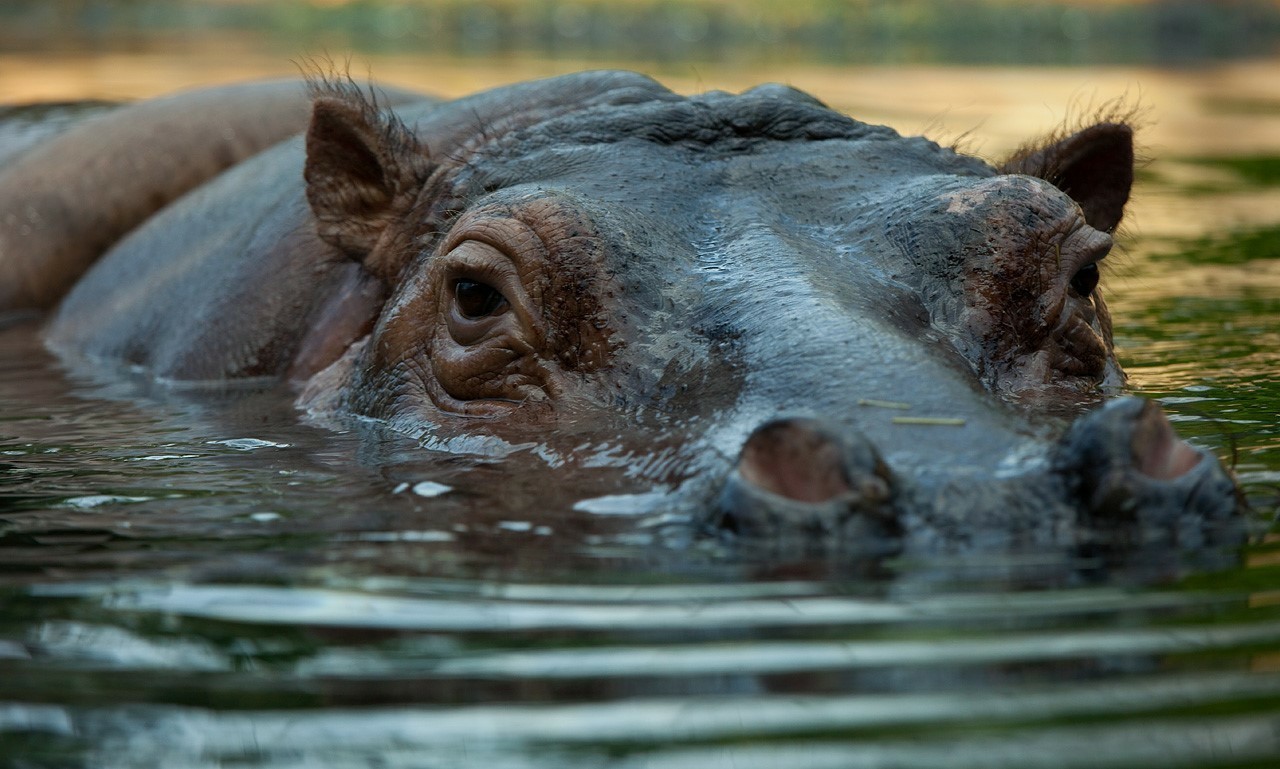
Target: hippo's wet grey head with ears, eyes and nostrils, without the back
column 820, row 331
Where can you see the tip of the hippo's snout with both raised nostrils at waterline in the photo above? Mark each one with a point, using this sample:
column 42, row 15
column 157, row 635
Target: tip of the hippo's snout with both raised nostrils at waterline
column 1119, row 475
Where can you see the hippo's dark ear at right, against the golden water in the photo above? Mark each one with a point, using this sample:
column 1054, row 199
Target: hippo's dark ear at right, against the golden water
column 1094, row 166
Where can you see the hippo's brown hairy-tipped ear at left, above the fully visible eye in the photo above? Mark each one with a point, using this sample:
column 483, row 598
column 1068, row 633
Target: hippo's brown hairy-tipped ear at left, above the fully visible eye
column 364, row 170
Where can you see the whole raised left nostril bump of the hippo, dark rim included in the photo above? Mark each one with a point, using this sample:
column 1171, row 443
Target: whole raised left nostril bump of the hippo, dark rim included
column 797, row 482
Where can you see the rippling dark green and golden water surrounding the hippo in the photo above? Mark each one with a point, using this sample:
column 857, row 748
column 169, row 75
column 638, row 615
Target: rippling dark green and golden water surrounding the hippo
column 200, row 580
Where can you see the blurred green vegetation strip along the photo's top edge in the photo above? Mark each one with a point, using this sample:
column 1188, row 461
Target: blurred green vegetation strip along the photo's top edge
column 852, row 31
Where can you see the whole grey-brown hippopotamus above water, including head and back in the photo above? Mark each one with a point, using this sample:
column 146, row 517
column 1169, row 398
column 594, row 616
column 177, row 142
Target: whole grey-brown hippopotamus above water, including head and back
column 792, row 324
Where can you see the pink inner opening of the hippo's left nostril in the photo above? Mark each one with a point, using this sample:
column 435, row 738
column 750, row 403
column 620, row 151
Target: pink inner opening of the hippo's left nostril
column 794, row 460
